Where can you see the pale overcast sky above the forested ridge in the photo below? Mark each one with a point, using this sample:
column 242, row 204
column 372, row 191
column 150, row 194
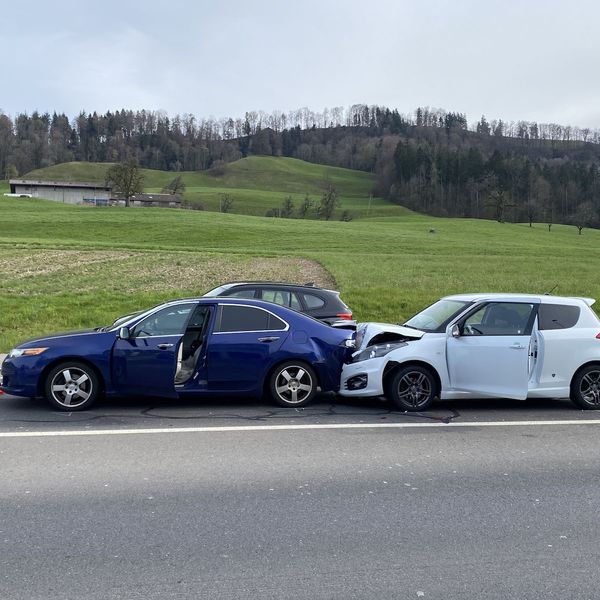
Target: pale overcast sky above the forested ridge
column 528, row 59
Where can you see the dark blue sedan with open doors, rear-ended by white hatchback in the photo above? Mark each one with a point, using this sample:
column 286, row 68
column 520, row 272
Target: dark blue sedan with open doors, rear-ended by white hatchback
column 190, row 347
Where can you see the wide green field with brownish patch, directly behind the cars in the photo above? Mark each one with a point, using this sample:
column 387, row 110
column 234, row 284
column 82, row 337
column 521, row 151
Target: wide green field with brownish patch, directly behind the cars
column 64, row 267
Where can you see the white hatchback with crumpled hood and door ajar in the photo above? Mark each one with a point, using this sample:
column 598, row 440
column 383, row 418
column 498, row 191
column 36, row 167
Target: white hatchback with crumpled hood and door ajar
column 481, row 345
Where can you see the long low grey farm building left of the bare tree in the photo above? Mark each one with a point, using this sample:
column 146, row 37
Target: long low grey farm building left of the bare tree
column 69, row 192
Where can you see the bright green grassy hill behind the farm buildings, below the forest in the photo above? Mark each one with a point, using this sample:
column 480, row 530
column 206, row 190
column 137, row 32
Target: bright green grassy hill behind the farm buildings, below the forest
column 256, row 183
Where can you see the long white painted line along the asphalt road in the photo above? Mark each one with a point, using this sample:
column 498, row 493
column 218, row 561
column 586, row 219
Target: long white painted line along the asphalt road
column 216, row 429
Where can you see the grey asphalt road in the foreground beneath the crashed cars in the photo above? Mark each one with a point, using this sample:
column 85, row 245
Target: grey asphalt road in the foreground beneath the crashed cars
column 155, row 499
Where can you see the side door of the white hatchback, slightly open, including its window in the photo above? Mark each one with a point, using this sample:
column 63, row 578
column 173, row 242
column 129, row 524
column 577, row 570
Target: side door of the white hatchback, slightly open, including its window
column 489, row 353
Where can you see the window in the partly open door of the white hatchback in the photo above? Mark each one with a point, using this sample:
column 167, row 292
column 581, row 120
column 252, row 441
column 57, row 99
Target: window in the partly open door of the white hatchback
column 500, row 318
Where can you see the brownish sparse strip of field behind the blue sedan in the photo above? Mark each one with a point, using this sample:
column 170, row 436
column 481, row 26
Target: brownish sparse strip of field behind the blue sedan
column 33, row 272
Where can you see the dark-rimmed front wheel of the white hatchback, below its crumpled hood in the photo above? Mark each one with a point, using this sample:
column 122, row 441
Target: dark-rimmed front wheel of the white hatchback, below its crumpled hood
column 412, row 388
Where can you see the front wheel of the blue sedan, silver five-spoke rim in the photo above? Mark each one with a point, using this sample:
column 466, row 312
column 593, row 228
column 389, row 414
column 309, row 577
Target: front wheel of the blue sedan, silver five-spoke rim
column 72, row 386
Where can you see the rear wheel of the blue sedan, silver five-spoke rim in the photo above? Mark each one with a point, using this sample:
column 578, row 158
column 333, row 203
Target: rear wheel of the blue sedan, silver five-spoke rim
column 293, row 384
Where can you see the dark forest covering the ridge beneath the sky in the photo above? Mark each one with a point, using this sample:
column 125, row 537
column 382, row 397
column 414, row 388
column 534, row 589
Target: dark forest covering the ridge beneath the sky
column 432, row 161
